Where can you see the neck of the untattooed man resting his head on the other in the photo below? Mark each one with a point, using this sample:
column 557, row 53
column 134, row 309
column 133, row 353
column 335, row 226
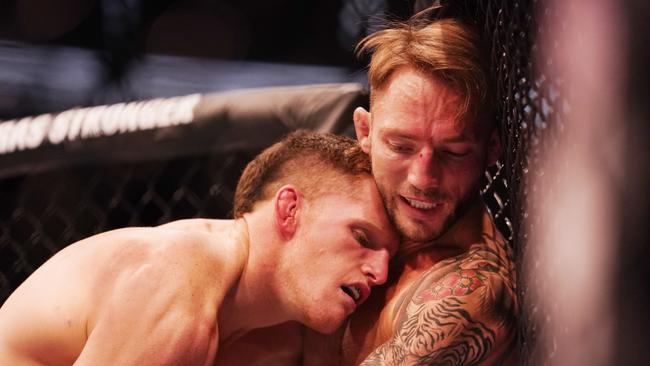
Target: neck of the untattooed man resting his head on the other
column 253, row 301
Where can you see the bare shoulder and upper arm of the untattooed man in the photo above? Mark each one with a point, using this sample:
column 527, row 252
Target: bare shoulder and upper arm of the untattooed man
column 161, row 293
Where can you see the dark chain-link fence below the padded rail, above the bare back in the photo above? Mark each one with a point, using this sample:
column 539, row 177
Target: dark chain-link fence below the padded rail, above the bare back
column 44, row 212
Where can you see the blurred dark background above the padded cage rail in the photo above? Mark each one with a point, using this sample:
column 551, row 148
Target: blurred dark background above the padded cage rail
column 58, row 55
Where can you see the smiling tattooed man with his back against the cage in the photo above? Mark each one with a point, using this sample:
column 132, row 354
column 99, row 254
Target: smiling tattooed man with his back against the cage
column 450, row 297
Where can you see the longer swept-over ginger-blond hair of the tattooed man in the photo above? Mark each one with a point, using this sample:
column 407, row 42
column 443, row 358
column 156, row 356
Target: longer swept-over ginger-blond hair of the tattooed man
column 445, row 48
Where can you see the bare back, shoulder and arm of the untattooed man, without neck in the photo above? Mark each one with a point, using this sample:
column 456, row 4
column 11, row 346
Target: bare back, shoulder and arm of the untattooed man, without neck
column 126, row 297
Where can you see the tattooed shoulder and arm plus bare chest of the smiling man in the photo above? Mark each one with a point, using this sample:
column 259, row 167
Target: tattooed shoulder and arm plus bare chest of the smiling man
column 460, row 311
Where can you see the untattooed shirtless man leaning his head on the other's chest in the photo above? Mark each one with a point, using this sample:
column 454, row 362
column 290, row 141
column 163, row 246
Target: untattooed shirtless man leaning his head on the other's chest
column 309, row 239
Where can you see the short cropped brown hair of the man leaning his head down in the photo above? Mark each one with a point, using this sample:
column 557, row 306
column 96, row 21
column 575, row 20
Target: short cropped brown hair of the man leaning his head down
column 313, row 162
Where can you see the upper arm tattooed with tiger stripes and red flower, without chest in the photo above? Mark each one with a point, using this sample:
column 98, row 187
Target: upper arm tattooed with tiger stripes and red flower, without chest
column 460, row 313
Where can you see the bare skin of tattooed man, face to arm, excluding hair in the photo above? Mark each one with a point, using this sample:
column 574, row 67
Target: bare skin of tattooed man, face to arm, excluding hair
column 453, row 300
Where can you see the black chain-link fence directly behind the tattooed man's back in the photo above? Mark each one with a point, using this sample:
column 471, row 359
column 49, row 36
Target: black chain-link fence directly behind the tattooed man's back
column 527, row 105
